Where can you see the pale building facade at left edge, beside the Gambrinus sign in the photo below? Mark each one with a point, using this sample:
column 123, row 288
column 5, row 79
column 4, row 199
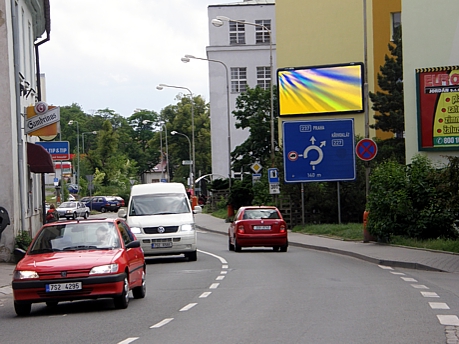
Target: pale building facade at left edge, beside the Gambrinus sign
column 22, row 24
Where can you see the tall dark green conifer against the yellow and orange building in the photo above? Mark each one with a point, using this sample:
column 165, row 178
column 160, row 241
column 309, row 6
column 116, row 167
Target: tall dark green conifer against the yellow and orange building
column 389, row 103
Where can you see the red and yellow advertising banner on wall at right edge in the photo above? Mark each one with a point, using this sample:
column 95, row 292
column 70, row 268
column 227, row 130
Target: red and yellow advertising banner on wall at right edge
column 438, row 108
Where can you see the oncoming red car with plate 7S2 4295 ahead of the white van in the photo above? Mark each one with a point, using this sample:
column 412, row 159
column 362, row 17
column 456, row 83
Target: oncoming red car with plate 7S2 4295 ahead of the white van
column 80, row 259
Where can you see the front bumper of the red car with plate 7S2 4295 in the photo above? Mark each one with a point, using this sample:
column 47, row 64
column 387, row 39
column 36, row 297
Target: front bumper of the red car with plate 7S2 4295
column 92, row 288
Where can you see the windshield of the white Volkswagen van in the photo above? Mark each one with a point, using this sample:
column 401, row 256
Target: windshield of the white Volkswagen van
column 159, row 204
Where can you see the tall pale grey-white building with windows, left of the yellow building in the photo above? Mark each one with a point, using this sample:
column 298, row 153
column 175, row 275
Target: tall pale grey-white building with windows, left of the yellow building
column 243, row 52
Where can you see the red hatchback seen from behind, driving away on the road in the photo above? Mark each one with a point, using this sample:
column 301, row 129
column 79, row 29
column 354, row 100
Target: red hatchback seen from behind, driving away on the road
column 258, row 226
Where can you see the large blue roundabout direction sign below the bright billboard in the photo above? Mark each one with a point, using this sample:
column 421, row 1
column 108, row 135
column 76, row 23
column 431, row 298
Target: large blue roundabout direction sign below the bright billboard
column 319, row 150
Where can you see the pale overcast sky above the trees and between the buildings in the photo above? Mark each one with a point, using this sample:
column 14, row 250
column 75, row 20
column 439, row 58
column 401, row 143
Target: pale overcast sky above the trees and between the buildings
column 113, row 53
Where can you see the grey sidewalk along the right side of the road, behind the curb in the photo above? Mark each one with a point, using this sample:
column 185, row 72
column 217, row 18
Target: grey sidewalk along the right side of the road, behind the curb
column 381, row 254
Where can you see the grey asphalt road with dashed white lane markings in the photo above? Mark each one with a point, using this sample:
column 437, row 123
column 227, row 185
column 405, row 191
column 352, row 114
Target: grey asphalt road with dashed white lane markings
column 256, row 296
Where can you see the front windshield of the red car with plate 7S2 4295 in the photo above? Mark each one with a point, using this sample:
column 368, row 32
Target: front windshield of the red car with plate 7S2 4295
column 76, row 236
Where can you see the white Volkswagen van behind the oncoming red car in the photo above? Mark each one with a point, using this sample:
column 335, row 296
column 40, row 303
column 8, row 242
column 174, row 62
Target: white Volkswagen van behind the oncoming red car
column 161, row 217
